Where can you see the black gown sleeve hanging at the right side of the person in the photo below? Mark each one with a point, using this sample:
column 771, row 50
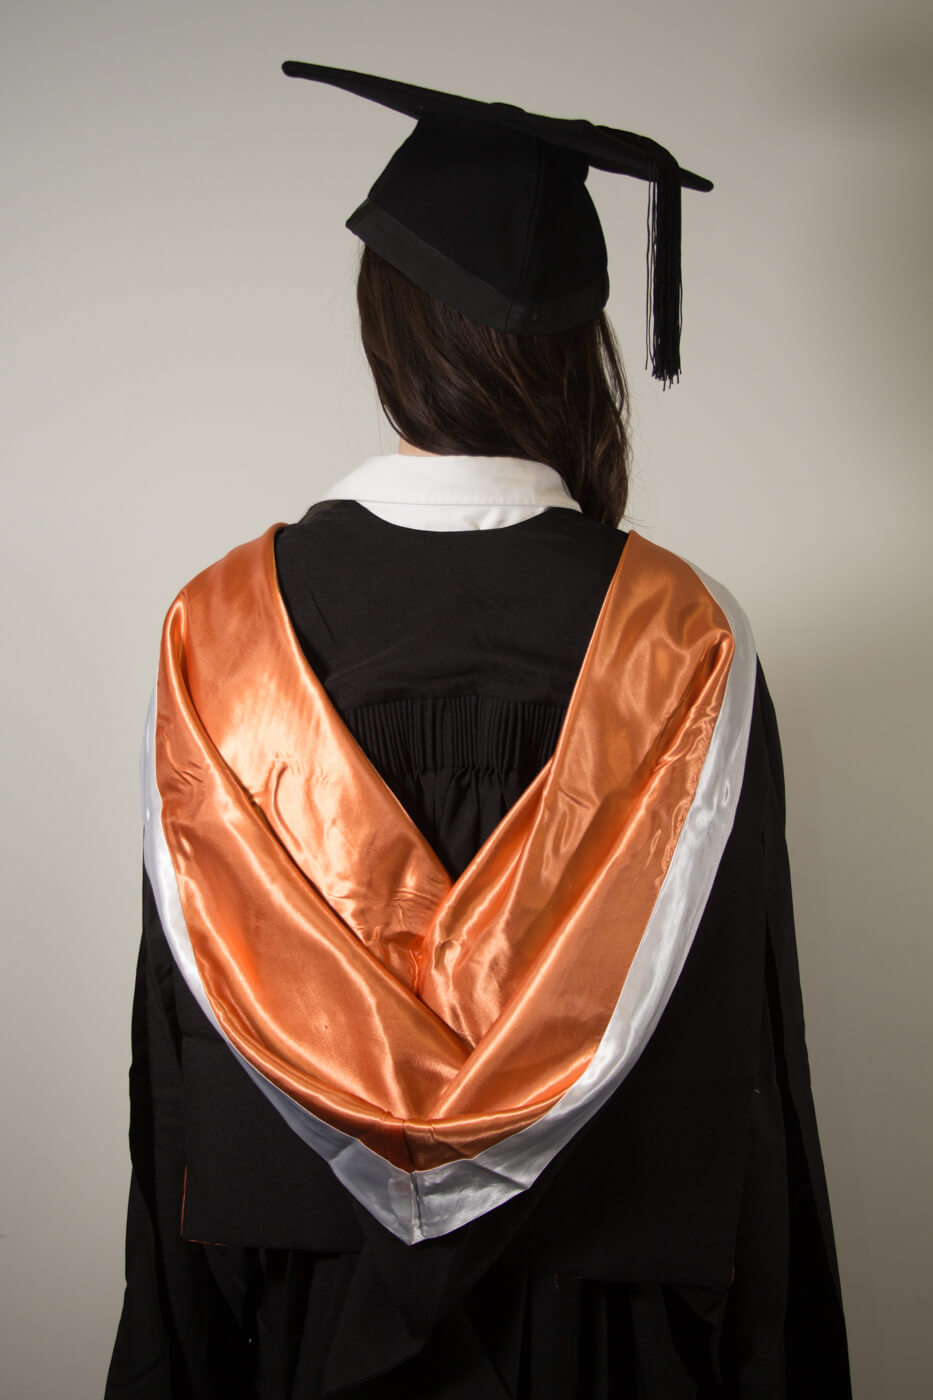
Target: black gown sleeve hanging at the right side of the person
column 785, row 1326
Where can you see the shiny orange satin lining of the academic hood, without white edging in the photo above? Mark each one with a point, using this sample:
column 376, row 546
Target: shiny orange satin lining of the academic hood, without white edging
column 427, row 1018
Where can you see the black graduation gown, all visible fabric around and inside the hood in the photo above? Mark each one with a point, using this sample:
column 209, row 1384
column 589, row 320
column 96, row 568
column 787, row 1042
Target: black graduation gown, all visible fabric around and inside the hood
column 679, row 1248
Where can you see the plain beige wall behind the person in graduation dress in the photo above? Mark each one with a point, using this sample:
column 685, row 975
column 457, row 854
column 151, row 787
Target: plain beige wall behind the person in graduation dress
column 181, row 369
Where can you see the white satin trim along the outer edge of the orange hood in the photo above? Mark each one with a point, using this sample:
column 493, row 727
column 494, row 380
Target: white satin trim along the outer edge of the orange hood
column 427, row 1205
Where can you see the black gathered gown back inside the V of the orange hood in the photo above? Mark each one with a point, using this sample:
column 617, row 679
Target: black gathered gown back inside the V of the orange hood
column 449, row 654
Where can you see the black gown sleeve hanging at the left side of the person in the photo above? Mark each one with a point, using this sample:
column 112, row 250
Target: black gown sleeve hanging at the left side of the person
column 177, row 1338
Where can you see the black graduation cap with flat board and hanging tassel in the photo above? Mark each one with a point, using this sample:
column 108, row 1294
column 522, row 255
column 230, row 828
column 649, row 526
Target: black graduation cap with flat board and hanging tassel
column 485, row 206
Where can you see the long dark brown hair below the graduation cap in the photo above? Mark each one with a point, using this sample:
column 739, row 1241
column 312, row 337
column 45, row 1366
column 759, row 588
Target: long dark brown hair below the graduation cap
column 450, row 386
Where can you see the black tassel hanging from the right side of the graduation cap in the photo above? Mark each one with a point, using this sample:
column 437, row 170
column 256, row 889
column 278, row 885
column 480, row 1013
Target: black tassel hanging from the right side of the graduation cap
column 665, row 292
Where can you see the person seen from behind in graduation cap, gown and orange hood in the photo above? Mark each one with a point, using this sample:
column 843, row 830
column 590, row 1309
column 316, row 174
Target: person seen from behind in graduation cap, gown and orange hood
column 469, row 1046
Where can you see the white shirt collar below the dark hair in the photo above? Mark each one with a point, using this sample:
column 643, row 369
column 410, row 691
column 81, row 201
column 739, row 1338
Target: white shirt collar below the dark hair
column 453, row 492
